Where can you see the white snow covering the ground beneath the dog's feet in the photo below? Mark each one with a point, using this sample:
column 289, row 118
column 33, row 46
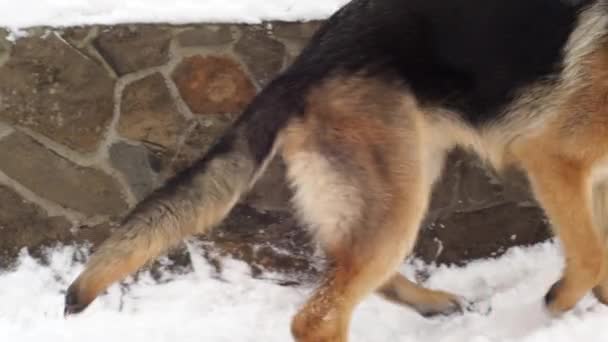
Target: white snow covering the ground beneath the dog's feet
column 202, row 306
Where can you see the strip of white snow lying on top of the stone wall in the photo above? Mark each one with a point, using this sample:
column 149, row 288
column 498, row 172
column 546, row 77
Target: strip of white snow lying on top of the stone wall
column 21, row 14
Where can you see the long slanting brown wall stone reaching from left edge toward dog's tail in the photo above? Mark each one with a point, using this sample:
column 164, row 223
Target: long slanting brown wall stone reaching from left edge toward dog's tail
column 87, row 190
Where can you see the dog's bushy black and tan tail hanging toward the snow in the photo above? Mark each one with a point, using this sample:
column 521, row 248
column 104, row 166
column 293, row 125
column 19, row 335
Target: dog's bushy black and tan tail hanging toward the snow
column 193, row 201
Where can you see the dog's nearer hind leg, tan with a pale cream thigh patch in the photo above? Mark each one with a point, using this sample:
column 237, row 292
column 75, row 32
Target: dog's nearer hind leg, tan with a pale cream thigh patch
column 357, row 166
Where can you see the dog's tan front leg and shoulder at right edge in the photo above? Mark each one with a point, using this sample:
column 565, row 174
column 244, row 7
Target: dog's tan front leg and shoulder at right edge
column 560, row 162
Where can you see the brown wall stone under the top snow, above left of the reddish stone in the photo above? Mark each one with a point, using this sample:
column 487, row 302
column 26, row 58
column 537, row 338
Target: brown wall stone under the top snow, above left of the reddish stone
column 131, row 48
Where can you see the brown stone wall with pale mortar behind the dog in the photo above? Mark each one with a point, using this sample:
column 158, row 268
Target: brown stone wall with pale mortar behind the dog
column 94, row 118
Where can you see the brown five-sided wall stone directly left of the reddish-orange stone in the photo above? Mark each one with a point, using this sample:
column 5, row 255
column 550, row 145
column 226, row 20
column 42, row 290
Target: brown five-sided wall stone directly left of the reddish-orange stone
column 148, row 114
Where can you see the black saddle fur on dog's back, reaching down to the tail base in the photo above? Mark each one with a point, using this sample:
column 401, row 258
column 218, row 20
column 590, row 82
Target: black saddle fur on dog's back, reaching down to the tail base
column 469, row 56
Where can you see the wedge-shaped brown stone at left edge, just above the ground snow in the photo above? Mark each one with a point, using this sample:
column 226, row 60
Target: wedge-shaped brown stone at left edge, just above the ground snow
column 24, row 224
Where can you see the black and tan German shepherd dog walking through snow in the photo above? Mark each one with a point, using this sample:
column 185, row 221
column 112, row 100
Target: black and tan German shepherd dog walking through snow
column 363, row 120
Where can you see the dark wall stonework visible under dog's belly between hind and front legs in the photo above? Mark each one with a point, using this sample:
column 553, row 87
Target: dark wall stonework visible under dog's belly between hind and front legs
column 475, row 214
